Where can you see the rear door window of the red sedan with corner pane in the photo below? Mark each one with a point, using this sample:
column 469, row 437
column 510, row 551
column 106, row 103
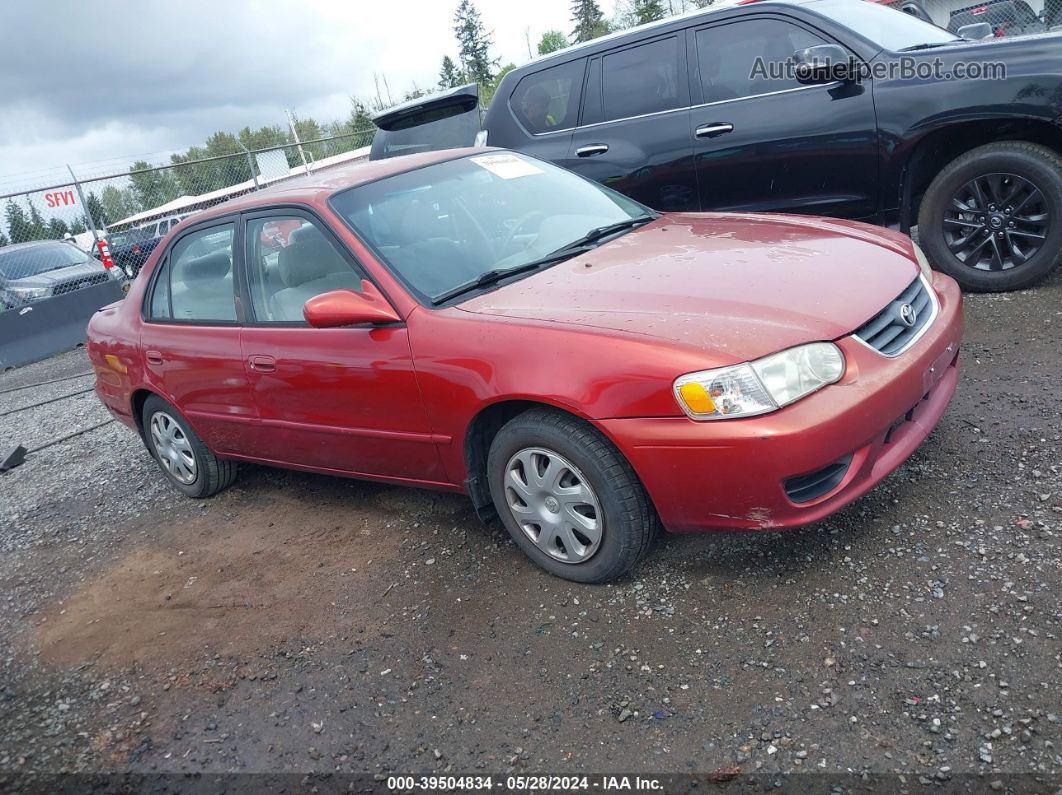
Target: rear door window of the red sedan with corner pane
column 196, row 283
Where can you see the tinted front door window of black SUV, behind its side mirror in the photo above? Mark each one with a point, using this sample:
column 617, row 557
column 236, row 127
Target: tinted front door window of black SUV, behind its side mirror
column 727, row 58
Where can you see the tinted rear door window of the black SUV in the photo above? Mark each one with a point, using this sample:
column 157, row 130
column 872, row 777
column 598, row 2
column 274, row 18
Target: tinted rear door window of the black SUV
column 642, row 80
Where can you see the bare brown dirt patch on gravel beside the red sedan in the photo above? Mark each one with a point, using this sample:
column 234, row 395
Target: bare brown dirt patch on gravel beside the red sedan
column 230, row 585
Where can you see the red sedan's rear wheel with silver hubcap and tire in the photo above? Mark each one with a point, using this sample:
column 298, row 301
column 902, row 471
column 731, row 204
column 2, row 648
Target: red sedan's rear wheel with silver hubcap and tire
column 185, row 461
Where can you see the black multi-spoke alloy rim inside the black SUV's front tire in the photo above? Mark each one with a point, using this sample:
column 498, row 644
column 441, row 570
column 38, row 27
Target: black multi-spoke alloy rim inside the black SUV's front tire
column 997, row 222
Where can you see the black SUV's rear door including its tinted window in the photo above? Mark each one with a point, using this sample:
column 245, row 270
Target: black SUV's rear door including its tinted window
column 635, row 132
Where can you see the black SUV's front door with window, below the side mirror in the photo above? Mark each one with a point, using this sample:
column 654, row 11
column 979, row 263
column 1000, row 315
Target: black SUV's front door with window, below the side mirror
column 763, row 142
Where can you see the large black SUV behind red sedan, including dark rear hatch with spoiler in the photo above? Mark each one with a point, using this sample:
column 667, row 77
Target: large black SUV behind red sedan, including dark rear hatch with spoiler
column 698, row 113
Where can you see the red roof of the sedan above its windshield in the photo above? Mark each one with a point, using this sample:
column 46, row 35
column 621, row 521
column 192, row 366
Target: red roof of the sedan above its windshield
column 317, row 187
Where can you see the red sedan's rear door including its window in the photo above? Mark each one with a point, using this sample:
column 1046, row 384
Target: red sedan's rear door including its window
column 191, row 339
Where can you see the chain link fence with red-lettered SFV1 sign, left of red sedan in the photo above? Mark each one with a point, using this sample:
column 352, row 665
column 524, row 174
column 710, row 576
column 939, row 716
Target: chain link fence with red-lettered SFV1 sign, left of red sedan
column 50, row 234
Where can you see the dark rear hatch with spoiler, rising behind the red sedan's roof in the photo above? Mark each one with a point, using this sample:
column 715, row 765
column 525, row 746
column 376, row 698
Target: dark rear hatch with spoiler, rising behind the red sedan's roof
column 449, row 120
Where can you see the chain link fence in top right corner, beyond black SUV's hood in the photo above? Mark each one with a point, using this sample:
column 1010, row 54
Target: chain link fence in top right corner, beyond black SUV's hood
column 1005, row 18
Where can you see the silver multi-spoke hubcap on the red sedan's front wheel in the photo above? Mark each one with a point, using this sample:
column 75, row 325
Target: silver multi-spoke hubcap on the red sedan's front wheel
column 554, row 505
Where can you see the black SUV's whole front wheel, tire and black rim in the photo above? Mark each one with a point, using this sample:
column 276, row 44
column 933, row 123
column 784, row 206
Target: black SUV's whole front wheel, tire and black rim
column 1009, row 256
